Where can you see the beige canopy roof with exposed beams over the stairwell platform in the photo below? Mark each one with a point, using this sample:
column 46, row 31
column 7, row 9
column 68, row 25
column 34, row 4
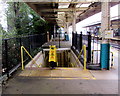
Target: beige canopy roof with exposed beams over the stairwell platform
column 59, row 12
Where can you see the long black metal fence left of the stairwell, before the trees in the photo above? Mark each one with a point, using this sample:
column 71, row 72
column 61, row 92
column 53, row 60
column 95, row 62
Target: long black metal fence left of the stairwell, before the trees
column 11, row 50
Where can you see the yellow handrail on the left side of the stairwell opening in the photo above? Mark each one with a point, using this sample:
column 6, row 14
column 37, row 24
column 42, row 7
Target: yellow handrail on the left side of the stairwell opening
column 22, row 60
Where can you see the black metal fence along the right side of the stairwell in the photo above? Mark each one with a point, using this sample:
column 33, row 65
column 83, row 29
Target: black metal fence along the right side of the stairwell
column 78, row 40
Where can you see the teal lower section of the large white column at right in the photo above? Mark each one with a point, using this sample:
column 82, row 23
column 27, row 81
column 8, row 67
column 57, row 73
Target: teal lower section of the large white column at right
column 104, row 56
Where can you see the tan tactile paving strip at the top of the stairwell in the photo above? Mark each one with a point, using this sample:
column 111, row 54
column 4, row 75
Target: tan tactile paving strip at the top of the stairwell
column 61, row 73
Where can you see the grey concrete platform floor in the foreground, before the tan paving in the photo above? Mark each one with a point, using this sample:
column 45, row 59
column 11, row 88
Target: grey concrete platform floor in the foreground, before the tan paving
column 42, row 85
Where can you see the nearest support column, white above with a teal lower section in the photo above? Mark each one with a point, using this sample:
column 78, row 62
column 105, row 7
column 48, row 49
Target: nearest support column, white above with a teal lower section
column 105, row 46
